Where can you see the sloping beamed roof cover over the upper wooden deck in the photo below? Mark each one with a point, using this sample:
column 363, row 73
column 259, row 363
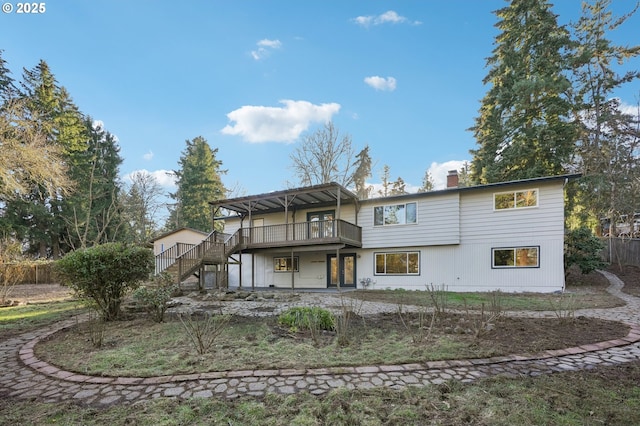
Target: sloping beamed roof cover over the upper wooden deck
column 325, row 194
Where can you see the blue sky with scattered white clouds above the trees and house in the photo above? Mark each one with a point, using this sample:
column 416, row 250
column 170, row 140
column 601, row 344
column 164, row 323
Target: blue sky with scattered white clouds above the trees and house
column 254, row 77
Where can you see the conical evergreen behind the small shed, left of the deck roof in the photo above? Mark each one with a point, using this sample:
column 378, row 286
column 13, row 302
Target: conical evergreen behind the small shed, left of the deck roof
column 198, row 182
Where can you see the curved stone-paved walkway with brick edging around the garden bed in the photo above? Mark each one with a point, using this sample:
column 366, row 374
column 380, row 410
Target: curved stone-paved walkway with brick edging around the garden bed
column 25, row 376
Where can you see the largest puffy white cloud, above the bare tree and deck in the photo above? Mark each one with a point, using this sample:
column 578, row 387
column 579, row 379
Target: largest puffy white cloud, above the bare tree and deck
column 277, row 124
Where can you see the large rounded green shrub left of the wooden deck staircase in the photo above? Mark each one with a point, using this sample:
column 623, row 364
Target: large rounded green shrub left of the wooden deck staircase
column 105, row 274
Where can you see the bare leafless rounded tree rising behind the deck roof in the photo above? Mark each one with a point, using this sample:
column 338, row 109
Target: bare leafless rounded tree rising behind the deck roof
column 324, row 157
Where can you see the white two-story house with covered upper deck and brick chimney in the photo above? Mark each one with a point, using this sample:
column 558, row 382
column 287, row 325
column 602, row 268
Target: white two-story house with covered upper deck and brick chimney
column 505, row 236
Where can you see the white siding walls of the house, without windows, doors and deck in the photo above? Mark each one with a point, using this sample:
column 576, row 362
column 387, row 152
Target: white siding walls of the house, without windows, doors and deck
column 455, row 233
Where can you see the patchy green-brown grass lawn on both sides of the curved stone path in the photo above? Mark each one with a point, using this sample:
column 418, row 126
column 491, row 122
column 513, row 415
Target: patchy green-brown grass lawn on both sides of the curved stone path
column 605, row 395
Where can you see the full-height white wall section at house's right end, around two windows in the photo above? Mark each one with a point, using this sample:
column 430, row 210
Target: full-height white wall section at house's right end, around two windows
column 484, row 229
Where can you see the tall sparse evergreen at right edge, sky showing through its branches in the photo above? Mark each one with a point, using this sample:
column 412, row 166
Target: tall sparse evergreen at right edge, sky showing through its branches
column 609, row 139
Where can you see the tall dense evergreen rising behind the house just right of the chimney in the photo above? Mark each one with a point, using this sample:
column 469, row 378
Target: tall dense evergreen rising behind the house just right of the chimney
column 524, row 128
